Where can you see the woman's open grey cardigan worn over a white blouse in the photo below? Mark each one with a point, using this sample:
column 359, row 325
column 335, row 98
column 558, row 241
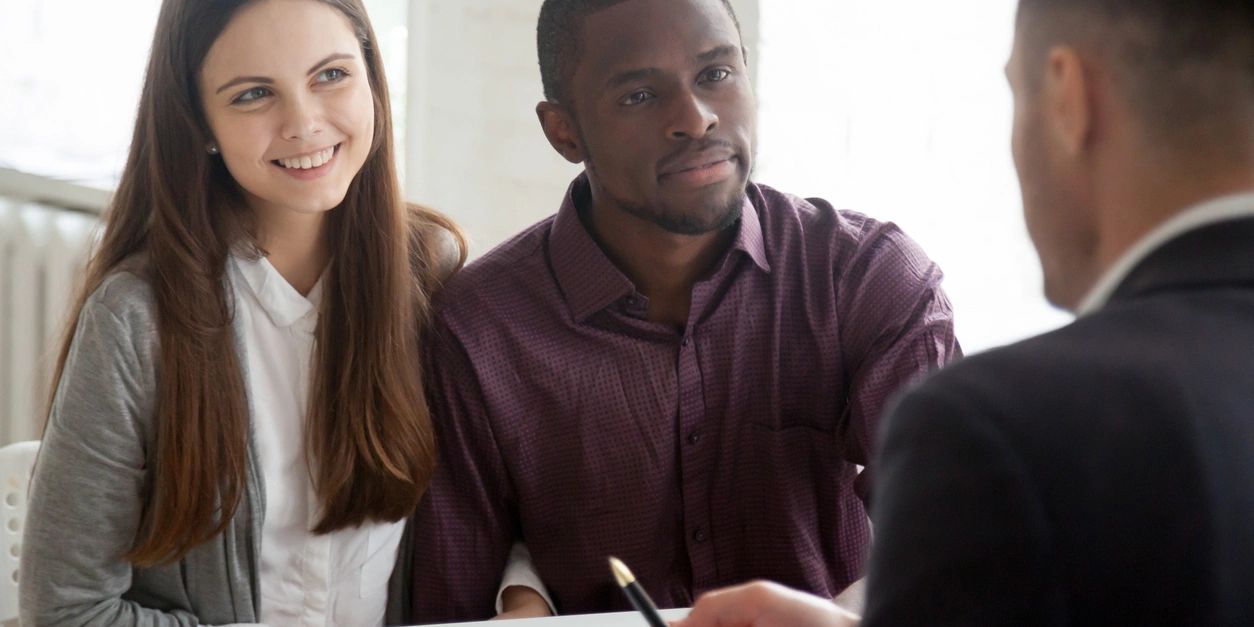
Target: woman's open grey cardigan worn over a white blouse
column 91, row 477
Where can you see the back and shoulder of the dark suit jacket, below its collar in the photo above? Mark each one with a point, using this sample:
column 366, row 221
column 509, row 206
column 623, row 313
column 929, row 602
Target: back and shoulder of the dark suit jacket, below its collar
column 1103, row 473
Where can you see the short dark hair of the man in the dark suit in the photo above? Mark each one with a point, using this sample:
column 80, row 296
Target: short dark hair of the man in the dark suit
column 1186, row 67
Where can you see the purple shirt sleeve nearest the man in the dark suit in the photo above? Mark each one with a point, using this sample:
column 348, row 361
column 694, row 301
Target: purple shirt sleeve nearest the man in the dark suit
column 897, row 327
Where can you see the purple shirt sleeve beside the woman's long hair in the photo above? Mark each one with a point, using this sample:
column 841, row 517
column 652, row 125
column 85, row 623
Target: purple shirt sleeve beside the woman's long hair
column 466, row 525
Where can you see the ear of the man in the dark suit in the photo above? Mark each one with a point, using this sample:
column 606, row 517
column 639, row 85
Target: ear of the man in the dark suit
column 1069, row 100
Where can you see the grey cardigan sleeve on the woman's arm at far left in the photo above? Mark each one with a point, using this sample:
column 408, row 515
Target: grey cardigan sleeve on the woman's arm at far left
column 87, row 490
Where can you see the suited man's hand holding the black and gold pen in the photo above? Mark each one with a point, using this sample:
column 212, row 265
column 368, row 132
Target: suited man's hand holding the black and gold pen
column 766, row 605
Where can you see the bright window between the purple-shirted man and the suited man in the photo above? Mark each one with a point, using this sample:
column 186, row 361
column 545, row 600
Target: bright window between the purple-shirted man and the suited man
column 900, row 110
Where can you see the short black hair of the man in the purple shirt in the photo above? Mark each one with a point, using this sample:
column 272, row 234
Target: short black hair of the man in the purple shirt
column 557, row 37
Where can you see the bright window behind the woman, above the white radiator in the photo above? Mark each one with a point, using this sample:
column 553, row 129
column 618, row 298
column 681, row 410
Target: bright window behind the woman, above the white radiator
column 72, row 85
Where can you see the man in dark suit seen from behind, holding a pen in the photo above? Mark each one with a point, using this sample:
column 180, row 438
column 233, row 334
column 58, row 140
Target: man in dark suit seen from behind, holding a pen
column 1103, row 473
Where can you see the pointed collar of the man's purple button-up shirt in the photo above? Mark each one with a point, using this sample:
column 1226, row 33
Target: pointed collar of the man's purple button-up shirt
column 591, row 283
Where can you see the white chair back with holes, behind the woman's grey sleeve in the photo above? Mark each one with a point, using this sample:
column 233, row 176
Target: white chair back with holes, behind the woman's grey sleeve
column 17, row 462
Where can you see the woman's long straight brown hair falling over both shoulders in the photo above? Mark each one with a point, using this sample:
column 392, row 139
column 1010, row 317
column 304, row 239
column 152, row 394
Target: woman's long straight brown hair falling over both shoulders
column 369, row 433
